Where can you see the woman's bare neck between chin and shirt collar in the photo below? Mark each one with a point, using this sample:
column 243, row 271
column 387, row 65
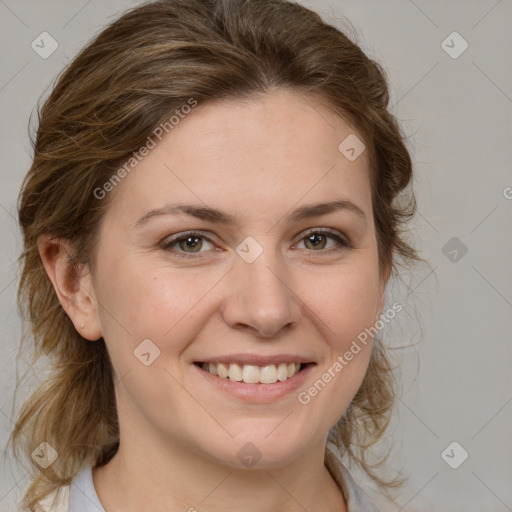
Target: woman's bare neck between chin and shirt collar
column 142, row 476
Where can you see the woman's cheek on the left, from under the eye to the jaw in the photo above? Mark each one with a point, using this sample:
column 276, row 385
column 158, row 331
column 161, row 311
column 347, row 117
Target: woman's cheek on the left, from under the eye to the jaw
column 139, row 303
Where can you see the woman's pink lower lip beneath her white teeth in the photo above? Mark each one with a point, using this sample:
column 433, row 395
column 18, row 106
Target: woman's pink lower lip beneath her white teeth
column 257, row 393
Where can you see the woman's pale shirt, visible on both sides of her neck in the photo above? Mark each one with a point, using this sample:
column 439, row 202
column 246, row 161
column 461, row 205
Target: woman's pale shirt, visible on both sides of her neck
column 81, row 496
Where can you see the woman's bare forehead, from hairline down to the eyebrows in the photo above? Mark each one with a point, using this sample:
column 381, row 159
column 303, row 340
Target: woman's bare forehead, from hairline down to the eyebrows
column 278, row 147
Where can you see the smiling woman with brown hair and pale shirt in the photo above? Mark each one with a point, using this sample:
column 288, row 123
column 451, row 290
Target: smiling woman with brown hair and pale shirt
column 210, row 222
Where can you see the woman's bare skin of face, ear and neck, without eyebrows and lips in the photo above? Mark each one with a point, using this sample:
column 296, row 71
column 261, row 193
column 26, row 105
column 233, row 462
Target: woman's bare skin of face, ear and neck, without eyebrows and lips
column 257, row 159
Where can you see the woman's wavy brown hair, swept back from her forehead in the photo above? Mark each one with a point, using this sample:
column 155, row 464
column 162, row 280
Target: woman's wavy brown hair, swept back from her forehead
column 110, row 98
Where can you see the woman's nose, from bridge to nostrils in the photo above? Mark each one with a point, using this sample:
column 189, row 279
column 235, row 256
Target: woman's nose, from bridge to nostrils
column 260, row 297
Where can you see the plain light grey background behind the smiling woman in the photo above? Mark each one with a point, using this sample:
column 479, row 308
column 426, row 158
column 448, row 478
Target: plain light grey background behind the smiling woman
column 457, row 378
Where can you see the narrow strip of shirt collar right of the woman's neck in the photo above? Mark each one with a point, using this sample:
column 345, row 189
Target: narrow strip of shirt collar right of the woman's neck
column 357, row 500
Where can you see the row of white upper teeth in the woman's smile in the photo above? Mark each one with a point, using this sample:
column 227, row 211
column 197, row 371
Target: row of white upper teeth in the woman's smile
column 252, row 374
